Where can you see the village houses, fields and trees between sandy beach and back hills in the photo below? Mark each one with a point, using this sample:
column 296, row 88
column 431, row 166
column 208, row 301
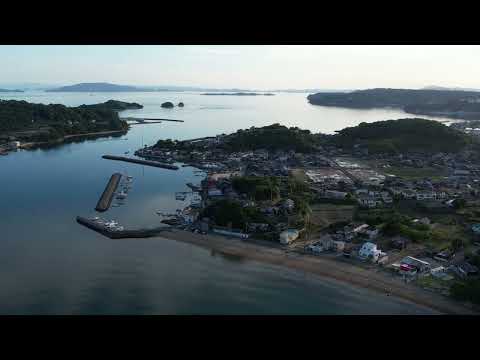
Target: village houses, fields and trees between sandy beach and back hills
column 416, row 217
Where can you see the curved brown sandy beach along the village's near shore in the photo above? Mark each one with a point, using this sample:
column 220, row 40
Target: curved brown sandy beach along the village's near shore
column 331, row 269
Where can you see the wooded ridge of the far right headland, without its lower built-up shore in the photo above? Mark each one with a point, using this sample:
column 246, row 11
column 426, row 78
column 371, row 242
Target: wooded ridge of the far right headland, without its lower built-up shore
column 390, row 98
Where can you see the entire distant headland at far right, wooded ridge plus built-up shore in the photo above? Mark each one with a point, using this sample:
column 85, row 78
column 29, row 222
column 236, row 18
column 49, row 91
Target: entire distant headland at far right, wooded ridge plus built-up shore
column 459, row 104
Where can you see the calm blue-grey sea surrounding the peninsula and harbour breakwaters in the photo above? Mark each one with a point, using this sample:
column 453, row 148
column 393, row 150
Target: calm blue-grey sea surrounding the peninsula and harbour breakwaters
column 51, row 265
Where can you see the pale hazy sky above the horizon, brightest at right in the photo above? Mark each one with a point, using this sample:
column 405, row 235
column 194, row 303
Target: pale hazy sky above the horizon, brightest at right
column 254, row 67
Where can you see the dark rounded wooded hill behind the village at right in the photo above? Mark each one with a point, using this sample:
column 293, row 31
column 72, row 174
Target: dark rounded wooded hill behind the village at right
column 404, row 135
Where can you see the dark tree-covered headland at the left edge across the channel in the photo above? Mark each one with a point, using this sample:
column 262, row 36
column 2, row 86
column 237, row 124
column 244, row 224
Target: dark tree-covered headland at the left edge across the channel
column 33, row 124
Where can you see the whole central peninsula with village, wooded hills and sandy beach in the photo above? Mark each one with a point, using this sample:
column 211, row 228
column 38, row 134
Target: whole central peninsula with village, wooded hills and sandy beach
column 392, row 205
